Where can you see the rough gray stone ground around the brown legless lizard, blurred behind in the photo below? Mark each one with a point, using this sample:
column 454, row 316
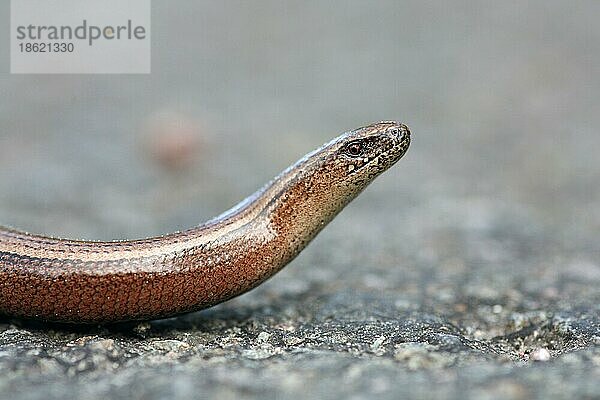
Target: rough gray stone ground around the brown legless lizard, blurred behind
column 469, row 270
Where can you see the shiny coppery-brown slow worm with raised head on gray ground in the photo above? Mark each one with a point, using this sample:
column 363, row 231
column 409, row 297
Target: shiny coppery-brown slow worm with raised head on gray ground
column 94, row 282
